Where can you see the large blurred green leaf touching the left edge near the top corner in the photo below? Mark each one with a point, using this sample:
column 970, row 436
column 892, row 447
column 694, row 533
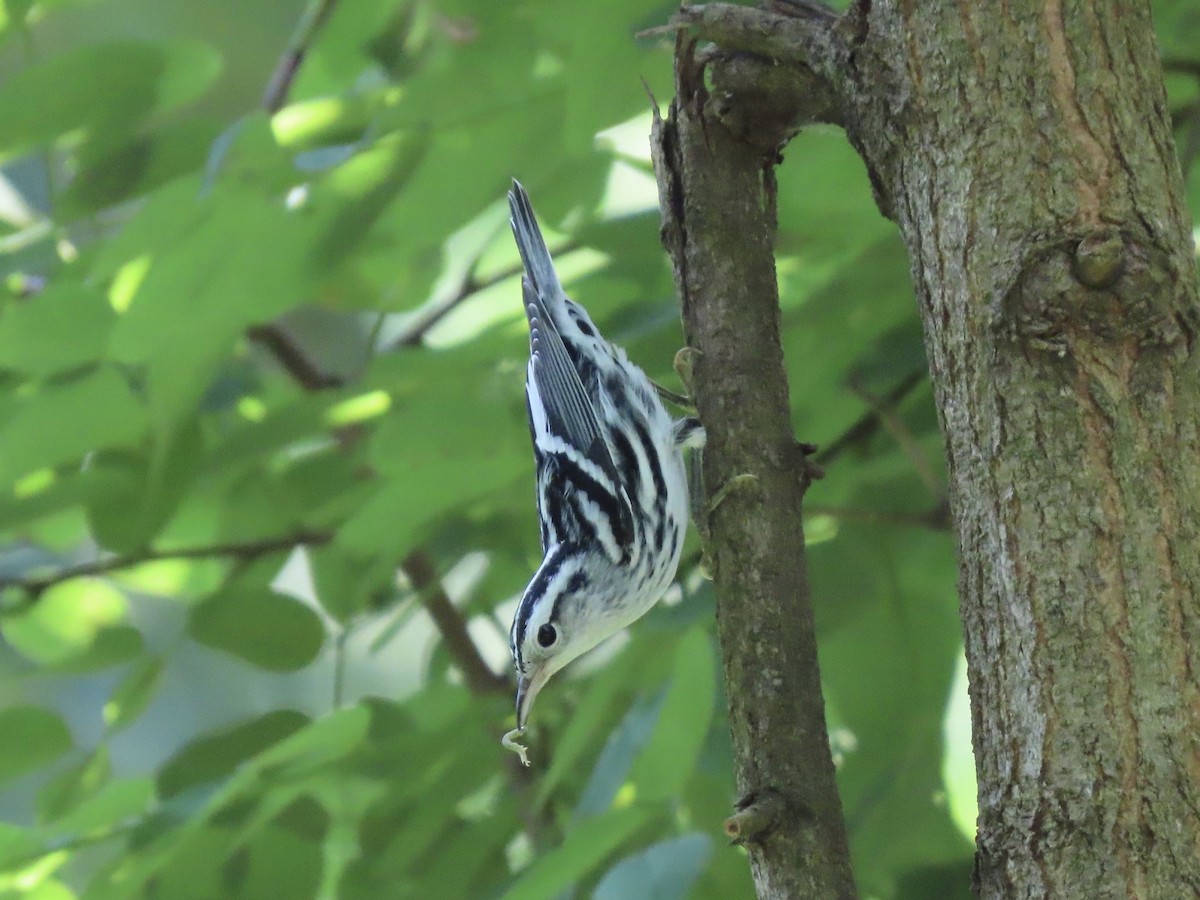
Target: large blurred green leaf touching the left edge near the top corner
column 101, row 89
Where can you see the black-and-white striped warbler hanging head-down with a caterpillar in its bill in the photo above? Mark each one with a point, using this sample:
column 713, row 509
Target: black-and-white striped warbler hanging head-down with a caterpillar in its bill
column 613, row 487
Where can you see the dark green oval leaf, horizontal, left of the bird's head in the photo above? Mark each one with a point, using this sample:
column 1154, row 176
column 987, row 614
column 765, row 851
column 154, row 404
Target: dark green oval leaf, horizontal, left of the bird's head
column 266, row 629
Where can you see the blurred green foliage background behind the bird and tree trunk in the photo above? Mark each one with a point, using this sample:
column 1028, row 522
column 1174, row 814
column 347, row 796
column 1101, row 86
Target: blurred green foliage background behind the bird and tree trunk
column 266, row 489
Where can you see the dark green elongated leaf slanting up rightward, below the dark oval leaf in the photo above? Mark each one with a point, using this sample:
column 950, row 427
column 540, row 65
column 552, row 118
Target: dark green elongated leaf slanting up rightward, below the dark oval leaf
column 218, row 755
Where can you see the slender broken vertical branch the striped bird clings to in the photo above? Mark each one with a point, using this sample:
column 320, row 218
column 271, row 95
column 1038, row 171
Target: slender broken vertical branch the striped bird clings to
column 717, row 196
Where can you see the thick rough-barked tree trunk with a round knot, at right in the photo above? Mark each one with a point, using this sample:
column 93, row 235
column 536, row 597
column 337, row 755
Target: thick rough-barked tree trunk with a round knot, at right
column 1024, row 149
